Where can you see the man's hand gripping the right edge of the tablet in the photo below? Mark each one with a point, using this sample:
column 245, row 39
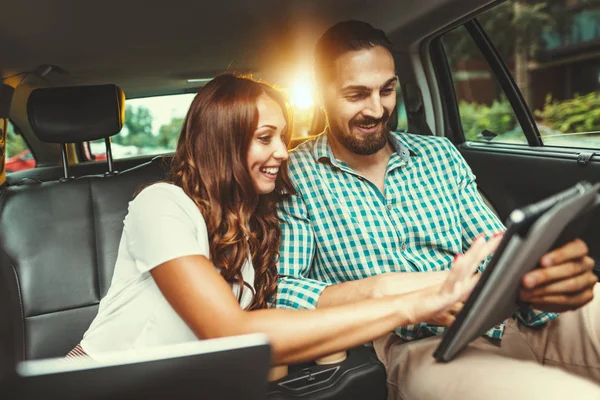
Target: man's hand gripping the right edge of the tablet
column 564, row 281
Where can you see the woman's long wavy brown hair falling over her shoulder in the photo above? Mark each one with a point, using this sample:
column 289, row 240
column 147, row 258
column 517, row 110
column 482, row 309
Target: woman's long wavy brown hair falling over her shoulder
column 210, row 166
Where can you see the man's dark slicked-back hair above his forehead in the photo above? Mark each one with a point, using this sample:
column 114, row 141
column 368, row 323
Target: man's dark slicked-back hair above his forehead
column 344, row 37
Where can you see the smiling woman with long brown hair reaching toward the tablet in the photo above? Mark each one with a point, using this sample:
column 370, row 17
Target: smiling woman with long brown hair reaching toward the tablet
column 198, row 254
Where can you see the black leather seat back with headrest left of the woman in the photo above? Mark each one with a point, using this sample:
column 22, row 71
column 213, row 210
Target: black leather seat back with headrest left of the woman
column 59, row 239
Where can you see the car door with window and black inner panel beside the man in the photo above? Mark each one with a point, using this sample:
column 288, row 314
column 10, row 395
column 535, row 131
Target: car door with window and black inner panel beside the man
column 522, row 150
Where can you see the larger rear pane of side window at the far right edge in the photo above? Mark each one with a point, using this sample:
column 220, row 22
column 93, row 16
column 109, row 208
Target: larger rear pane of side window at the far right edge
column 555, row 66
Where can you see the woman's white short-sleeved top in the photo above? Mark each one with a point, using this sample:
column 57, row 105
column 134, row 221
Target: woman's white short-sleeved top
column 162, row 224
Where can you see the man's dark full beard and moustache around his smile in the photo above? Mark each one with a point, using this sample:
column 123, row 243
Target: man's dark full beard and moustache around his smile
column 367, row 144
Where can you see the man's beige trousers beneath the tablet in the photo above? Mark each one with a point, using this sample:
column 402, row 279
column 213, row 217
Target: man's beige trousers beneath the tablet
column 560, row 360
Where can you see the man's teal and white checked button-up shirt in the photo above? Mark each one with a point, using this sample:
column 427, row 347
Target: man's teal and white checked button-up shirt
column 340, row 227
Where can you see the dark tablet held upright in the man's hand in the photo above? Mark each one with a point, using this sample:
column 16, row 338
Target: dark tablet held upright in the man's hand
column 531, row 232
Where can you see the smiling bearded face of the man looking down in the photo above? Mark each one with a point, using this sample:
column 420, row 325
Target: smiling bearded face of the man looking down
column 359, row 99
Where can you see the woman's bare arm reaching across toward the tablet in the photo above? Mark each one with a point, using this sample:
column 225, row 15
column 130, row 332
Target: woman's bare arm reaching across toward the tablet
column 206, row 303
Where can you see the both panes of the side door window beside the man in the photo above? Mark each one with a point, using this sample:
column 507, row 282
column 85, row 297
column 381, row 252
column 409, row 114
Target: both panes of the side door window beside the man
column 549, row 50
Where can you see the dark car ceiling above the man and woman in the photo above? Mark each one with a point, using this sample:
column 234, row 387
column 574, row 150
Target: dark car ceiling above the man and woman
column 155, row 47
